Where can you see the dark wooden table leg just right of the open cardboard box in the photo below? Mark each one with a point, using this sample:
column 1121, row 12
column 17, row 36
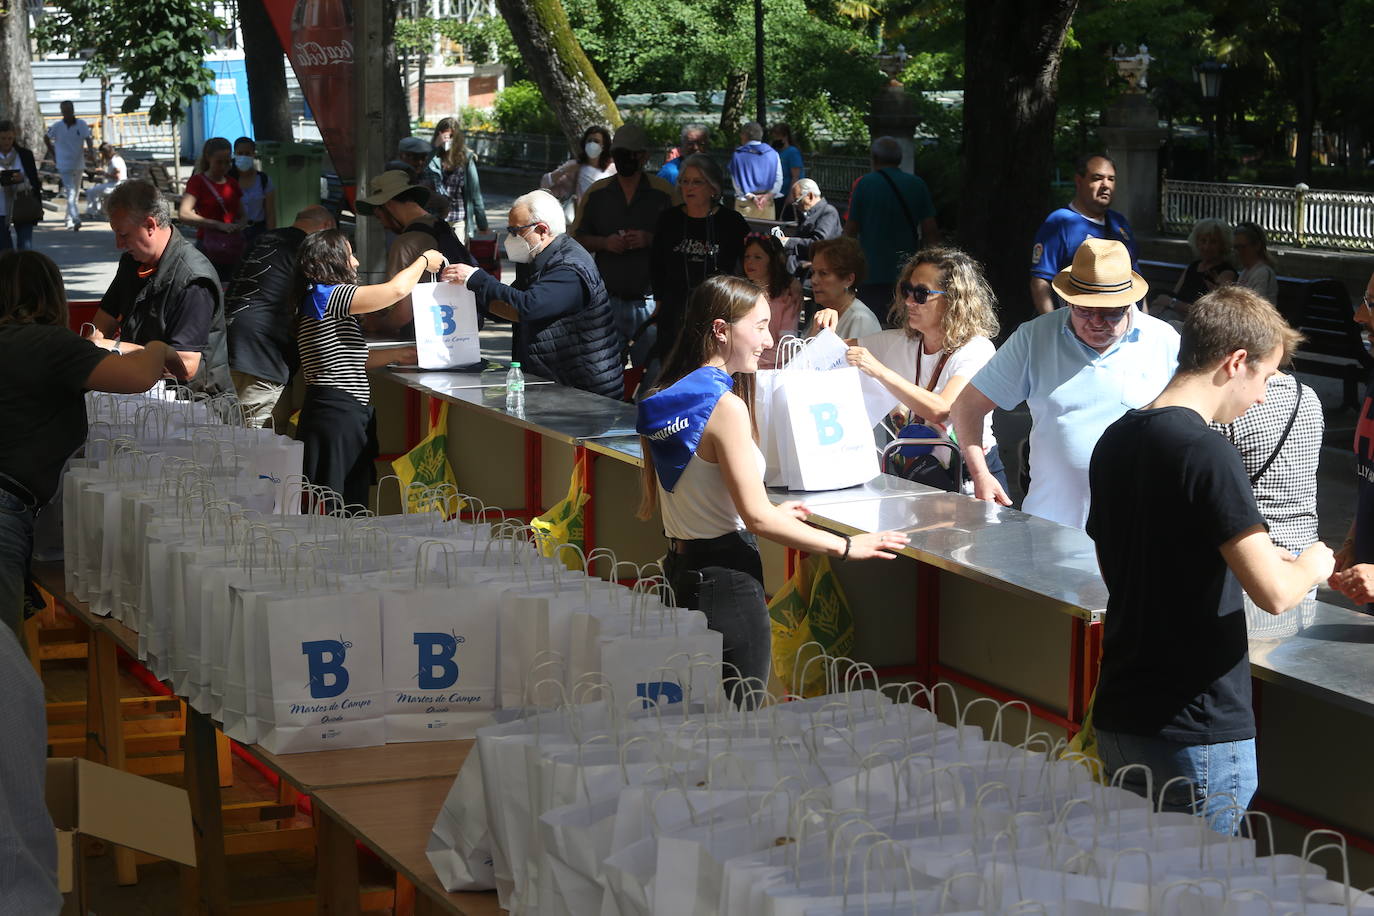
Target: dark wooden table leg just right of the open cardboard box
column 207, row 886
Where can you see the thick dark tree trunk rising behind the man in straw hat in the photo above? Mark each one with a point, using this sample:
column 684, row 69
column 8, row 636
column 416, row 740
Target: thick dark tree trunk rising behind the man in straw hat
column 1009, row 108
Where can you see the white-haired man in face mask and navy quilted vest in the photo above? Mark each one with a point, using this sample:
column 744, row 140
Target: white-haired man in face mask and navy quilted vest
column 564, row 326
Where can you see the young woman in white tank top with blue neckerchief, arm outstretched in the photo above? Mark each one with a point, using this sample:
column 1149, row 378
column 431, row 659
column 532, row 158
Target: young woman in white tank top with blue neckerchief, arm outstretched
column 704, row 468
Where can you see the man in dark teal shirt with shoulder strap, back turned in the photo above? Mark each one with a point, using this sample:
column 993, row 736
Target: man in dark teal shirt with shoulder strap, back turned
column 892, row 215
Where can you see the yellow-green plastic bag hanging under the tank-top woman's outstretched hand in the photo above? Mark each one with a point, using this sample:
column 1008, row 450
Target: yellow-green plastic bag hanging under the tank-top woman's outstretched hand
column 810, row 609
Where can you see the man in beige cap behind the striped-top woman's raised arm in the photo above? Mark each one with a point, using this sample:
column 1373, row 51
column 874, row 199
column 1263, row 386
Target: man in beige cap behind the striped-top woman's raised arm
column 401, row 208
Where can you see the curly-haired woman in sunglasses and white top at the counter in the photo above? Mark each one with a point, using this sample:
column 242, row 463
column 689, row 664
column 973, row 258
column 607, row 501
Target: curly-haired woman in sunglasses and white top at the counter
column 946, row 319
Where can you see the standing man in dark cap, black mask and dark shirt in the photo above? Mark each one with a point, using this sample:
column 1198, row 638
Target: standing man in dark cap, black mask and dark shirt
column 616, row 223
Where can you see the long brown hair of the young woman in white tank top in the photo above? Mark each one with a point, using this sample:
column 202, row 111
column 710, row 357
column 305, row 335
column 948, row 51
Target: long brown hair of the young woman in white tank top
column 728, row 299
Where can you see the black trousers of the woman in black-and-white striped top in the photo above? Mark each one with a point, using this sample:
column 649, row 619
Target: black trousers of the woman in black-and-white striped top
column 340, row 437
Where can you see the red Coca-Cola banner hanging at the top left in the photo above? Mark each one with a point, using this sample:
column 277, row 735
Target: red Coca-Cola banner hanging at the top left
column 318, row 38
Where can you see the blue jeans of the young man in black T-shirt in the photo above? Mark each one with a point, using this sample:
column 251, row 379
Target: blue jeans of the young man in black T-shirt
column 1224, row 775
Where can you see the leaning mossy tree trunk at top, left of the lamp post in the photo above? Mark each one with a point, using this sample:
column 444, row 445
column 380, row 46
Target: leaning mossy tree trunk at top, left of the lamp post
column 561, row 69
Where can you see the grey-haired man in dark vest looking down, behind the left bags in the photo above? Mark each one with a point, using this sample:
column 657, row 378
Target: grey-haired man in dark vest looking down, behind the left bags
column 163, row 290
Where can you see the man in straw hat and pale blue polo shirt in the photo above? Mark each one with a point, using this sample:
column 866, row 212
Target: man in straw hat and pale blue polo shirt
column 1079, row 370
